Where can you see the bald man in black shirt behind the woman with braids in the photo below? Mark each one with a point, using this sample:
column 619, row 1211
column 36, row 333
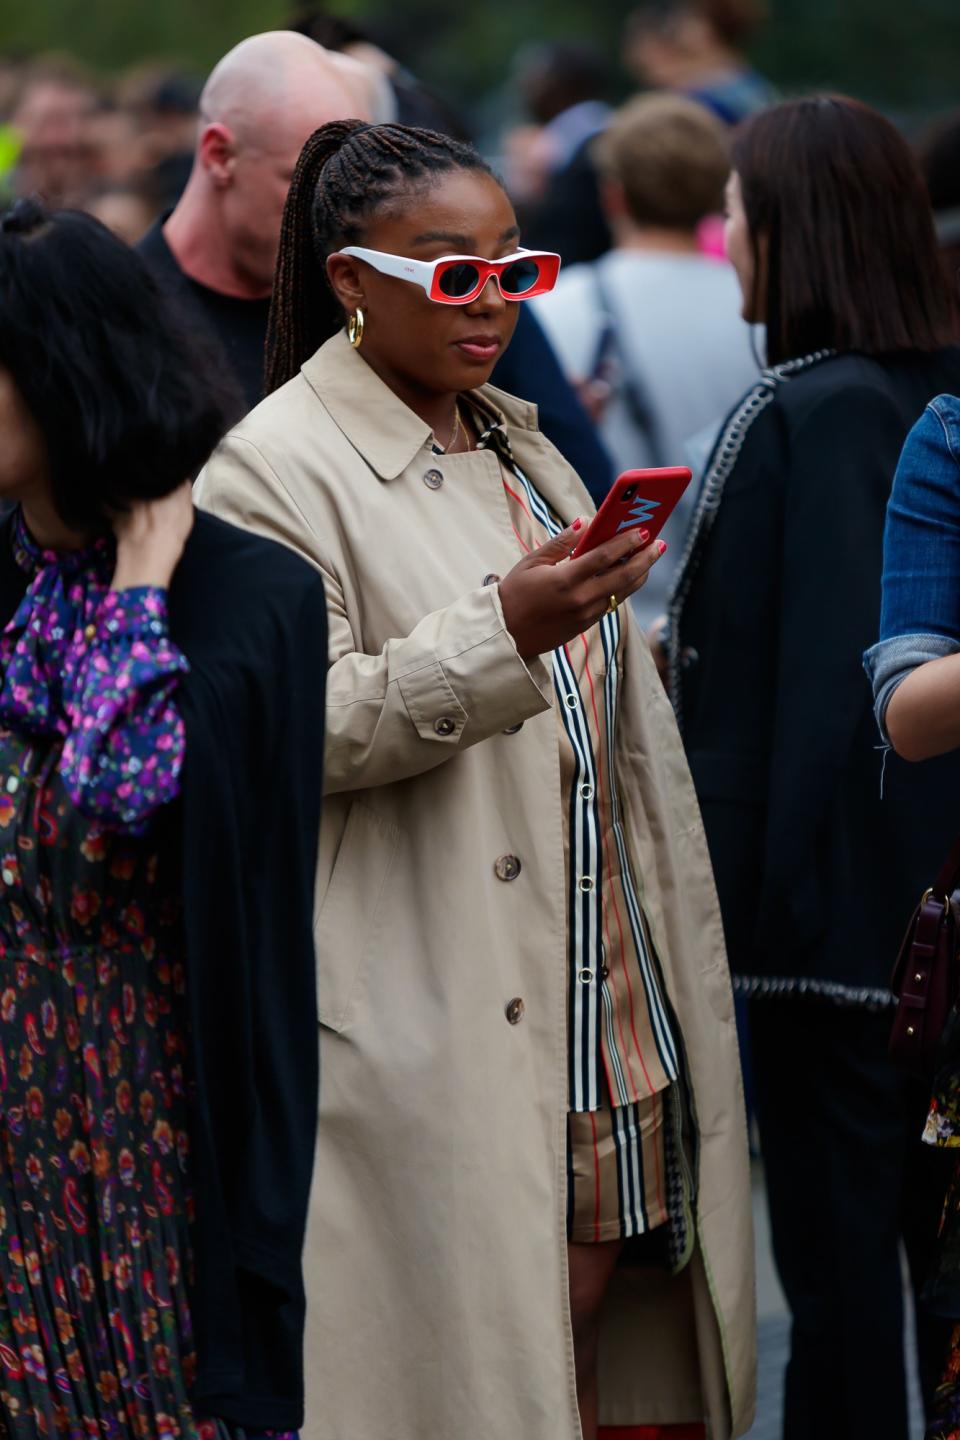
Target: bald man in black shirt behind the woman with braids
column 215, row 253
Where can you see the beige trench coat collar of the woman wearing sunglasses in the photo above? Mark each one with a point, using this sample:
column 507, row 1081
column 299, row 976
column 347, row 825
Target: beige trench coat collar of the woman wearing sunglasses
column 376, row 423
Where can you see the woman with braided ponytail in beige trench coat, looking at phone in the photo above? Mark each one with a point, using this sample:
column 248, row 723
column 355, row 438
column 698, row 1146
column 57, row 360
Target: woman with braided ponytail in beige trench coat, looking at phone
column 532, row 1148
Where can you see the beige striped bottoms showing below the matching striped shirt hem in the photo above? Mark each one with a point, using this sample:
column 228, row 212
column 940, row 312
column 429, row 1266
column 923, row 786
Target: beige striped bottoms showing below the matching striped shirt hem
column 617, row 1171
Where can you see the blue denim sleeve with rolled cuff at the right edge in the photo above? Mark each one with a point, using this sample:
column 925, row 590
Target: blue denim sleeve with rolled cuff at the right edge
column 920, row 617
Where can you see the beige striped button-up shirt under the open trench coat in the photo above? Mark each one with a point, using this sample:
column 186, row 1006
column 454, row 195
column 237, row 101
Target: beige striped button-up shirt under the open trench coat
column 621, row 1039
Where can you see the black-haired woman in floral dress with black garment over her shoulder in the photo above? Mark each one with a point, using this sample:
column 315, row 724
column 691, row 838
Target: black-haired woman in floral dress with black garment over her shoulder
column 159, row 820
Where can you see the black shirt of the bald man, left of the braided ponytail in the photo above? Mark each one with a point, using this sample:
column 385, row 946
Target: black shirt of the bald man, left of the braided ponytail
column 237, row 328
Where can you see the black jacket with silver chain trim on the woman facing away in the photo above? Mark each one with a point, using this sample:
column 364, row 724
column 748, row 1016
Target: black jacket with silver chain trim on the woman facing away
column 776, row 606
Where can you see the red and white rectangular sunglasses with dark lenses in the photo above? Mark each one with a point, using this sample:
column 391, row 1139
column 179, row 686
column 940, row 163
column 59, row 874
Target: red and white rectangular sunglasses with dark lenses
column 457, row 280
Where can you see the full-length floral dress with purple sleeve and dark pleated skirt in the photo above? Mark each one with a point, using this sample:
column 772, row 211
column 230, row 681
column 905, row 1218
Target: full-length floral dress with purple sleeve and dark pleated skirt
column 96, row 1336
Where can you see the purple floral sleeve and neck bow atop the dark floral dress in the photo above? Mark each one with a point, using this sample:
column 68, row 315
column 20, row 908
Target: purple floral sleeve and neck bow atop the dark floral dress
column 97, row 667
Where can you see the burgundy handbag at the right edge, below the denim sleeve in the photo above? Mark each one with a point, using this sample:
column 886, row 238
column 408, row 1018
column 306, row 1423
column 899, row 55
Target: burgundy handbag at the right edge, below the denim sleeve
column 926, row 978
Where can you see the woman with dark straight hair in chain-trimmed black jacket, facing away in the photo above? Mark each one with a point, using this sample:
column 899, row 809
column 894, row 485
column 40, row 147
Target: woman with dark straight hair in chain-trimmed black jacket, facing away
column 778, row 595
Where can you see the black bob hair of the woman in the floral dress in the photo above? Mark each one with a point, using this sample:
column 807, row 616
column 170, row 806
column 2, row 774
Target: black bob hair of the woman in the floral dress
column 129, row 405
